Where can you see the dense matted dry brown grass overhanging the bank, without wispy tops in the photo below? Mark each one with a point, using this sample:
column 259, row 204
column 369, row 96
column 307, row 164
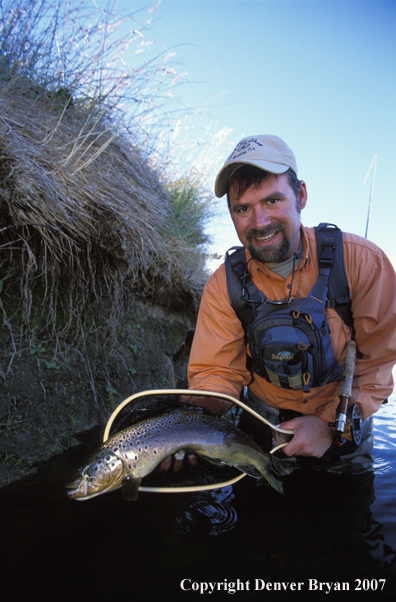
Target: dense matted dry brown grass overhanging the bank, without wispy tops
column 84, row 217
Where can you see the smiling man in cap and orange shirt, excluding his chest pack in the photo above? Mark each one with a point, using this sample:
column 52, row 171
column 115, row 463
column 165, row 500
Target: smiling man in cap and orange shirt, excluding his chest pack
column 265, row 200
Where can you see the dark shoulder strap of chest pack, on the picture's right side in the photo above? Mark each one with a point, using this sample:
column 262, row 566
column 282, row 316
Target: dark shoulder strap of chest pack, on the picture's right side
column 331, row 254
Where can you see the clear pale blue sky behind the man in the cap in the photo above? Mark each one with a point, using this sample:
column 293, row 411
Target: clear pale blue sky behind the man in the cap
column 319, row 74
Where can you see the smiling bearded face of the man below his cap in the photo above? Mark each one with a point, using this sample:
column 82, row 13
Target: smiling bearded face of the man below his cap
column 267, row 218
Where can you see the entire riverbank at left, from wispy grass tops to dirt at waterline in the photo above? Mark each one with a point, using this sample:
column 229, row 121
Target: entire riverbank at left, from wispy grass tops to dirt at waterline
column 101, row 248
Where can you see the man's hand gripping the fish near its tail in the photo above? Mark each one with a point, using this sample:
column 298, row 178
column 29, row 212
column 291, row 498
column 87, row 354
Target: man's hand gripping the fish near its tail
column 312, row 436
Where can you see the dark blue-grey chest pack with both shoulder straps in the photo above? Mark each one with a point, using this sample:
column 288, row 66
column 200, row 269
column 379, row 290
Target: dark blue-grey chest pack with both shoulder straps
column 289, row 341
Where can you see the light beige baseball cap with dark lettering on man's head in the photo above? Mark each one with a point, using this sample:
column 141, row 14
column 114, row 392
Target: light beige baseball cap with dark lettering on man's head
column 266, row 152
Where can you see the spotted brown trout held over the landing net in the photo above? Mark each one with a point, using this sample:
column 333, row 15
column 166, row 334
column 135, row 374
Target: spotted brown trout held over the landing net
column 128, row 456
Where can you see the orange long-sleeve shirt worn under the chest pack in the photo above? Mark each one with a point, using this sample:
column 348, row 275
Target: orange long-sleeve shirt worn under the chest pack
column 218, row 355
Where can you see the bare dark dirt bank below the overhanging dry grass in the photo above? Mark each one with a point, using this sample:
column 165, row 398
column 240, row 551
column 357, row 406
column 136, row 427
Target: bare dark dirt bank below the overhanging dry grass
column 51, row 391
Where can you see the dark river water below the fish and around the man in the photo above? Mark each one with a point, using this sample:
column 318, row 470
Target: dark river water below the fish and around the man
column 243, row 540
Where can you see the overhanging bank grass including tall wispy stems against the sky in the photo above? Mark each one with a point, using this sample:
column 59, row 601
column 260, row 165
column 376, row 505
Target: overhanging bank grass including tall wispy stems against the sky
column 86, row 219
